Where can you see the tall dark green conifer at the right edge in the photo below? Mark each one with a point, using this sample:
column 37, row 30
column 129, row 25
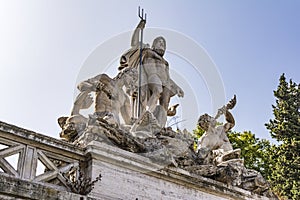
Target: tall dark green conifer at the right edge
column 285, row 128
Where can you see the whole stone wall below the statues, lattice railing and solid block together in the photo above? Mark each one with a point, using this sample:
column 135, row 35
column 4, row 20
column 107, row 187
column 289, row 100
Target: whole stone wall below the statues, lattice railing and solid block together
column 125, row 175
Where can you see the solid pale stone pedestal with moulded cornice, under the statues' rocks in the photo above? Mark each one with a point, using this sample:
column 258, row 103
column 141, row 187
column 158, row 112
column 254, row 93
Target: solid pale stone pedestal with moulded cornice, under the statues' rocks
column 127, row 175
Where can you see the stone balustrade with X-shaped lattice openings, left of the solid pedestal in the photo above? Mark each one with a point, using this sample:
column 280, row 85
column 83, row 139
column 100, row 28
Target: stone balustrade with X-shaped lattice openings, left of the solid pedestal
column 40, row 163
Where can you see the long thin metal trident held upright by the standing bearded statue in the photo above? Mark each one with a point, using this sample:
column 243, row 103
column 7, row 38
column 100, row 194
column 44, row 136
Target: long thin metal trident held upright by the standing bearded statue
column 142, row 17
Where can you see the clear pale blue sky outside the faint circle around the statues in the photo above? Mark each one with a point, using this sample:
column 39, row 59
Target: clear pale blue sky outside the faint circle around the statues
column 44, row 45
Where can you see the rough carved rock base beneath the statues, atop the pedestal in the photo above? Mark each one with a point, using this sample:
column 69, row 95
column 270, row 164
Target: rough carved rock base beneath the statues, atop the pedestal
column 175, row 149
